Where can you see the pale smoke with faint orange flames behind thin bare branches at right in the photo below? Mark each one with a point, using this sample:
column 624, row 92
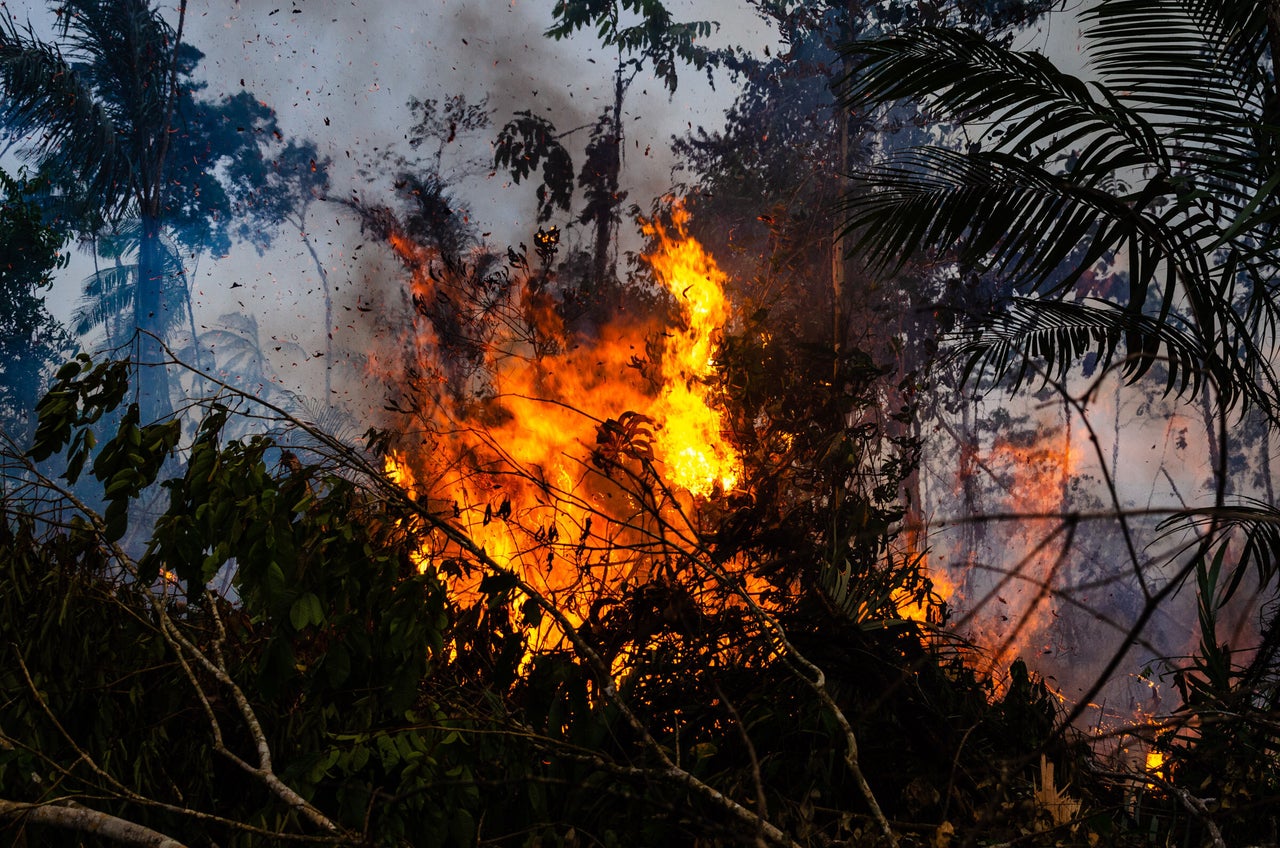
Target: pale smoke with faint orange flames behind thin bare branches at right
column 1062, row 594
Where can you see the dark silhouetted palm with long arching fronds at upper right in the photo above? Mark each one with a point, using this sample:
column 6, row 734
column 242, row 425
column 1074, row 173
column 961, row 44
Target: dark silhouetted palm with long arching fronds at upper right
column 1163, row 161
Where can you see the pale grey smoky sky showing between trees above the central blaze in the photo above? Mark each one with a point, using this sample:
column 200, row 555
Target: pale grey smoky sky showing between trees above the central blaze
column 341, row 72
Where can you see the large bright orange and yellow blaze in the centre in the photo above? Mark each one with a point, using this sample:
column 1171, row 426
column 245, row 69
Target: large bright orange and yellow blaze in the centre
column 520, row 467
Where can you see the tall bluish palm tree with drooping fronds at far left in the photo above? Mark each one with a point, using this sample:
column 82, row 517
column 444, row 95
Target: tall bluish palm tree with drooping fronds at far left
column 98, row 108
